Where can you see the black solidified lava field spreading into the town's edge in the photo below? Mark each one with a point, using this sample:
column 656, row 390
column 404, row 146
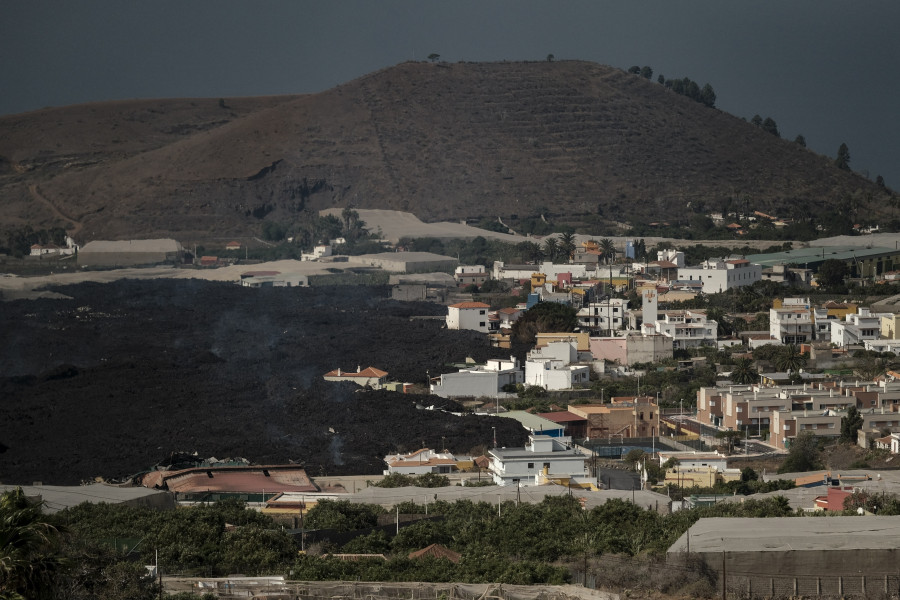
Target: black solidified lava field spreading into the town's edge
column 123, row 374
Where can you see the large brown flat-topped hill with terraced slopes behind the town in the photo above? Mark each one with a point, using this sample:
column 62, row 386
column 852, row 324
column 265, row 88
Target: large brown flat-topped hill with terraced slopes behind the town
column 443, row 141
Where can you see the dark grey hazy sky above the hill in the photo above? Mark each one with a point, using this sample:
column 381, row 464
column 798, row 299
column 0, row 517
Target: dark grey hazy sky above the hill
column 822, row 68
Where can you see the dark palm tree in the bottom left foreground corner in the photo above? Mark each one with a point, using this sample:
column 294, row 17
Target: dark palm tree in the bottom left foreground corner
column 29, row 548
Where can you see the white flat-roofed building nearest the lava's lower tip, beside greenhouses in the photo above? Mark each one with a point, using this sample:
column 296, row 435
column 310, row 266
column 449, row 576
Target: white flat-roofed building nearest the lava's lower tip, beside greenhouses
column 542, row 459
